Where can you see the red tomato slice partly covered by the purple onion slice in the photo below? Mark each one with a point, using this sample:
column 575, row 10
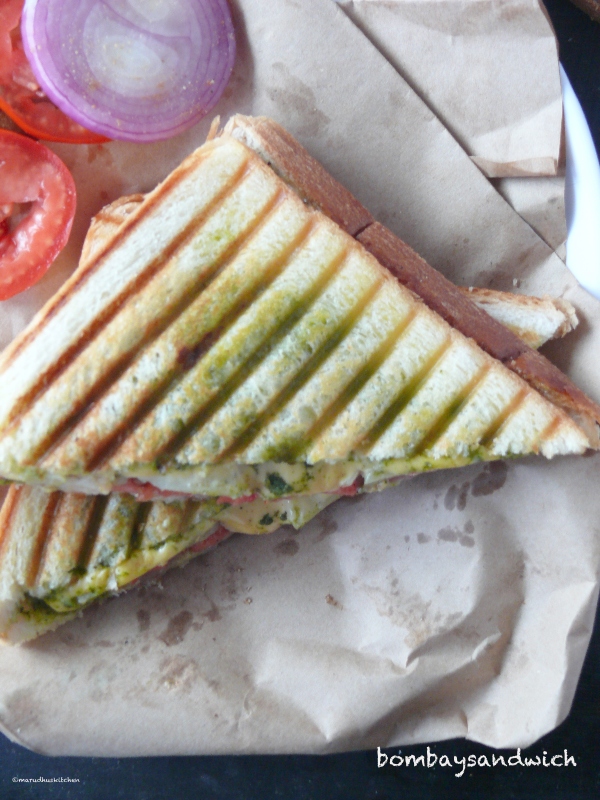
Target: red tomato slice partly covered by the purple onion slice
column 20, row 95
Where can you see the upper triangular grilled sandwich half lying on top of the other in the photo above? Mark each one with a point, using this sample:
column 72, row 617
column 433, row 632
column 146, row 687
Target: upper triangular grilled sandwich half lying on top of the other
column 236, row 338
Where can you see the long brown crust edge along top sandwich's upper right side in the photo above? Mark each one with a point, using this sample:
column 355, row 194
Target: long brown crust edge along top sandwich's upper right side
column 290, row 160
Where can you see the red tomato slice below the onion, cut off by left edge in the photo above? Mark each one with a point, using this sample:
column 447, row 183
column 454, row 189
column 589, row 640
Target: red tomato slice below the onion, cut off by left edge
column 37, row 206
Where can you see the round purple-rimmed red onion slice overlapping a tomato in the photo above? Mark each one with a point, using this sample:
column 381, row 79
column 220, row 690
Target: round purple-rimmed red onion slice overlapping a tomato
column 138, row 70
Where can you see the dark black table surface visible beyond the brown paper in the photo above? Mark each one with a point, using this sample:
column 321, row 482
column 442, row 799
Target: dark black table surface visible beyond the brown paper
column 357, row 775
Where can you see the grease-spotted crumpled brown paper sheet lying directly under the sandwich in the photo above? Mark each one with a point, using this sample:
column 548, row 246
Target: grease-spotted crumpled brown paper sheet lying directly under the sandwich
column 459, row 603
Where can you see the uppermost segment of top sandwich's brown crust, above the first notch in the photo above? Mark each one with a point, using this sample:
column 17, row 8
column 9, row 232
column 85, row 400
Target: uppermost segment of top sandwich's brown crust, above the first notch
column 307, row 176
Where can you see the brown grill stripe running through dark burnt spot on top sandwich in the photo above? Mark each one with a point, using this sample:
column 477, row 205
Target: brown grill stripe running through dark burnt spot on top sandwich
column 128, row 426
